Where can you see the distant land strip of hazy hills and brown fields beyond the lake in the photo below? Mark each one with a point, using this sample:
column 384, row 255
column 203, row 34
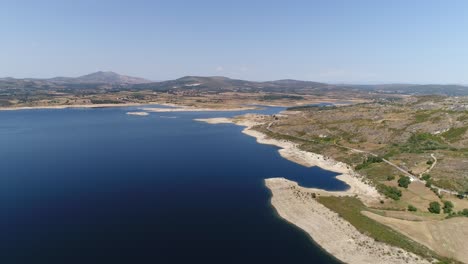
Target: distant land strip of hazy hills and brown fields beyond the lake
column 110, row 87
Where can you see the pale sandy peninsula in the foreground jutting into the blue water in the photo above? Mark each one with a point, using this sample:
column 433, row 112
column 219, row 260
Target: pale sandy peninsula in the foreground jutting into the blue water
column 335, row 235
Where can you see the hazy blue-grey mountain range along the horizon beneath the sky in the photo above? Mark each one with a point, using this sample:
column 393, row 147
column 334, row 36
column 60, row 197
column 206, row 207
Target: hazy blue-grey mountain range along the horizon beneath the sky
column 112, row 80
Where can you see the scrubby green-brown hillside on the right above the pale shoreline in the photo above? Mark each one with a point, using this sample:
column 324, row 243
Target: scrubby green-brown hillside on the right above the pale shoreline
column 410, row 133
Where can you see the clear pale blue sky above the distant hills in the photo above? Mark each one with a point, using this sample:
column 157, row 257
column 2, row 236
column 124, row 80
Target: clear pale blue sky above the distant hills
column 335, row 41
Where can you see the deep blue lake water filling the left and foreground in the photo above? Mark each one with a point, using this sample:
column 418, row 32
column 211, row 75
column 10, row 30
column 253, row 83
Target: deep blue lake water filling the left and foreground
column 100, row 186
